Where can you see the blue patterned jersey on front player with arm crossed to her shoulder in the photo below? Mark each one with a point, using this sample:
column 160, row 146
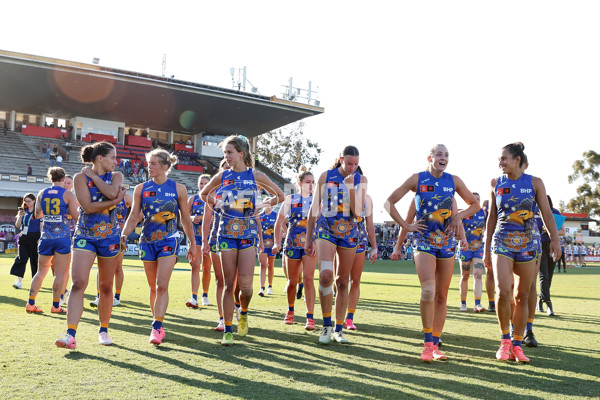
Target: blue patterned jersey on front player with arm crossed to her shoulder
column 100, row 225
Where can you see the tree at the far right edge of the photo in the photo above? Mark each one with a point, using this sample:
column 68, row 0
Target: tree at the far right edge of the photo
column 588, row 194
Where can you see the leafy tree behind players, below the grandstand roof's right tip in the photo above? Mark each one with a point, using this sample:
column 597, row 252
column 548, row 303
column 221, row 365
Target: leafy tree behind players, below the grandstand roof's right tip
column 285, row 150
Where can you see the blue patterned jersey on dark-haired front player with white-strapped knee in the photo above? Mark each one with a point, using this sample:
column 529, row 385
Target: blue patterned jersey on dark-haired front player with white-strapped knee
column 335, row 213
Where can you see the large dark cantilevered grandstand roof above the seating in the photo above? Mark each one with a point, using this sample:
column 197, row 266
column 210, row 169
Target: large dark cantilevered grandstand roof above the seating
column 65, row 89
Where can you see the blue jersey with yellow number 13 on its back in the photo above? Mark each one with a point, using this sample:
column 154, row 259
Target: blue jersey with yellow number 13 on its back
column 56, row 210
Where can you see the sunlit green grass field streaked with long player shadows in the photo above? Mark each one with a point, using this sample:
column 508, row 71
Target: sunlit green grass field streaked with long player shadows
column 281, row 361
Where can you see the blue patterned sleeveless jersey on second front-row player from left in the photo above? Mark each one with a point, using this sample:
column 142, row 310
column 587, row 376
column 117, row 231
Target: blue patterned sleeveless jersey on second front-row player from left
column 160, row 208
